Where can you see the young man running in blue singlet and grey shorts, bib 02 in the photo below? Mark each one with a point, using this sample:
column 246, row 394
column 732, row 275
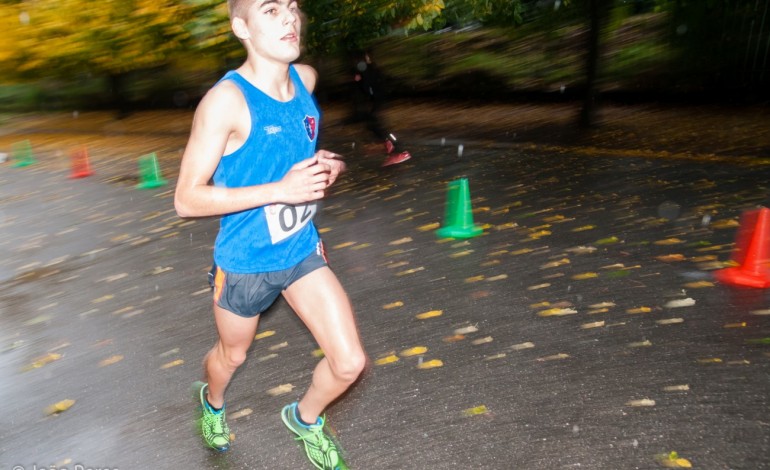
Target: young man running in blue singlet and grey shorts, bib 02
column 254, row 135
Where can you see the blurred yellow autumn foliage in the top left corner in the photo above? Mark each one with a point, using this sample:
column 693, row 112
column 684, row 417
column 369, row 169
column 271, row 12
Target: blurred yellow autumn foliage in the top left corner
column 108, row 37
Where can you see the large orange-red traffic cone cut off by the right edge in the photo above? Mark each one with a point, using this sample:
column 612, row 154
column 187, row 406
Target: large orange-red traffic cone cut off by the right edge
column 752, row 252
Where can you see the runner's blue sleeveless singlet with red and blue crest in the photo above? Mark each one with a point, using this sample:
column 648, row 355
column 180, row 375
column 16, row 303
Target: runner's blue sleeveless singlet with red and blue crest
column 278, row 236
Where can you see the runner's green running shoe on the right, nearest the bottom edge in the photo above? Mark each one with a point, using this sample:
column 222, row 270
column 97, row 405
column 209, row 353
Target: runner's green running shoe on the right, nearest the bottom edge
column 320, row 449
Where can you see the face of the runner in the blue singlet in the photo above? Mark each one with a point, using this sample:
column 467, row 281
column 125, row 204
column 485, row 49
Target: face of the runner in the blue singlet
column 274, row 29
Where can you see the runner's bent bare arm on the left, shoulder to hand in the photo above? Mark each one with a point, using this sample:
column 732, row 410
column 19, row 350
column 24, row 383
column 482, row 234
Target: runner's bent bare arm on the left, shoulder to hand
column 214, row 127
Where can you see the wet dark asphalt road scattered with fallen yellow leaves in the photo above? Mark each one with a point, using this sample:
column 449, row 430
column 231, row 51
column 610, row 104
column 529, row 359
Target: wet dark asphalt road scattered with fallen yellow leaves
column 582, row 330
